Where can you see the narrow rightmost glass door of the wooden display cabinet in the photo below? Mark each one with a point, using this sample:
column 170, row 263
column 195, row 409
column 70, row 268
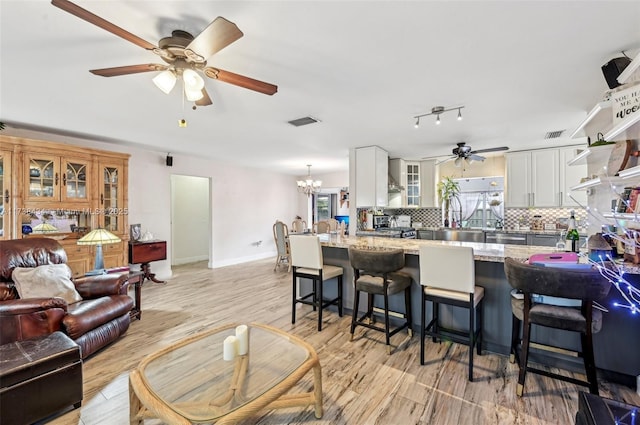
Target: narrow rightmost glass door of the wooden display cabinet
column 112, row 199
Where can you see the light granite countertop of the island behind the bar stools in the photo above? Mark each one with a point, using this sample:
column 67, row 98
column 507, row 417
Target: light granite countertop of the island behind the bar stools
column 482, row 251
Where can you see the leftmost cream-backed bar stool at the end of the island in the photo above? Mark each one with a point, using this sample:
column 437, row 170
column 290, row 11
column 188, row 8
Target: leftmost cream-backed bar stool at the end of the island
column 307, row 262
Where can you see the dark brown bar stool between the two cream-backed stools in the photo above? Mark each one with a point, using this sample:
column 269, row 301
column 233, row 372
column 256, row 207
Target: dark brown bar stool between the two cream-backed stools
column 377, row 272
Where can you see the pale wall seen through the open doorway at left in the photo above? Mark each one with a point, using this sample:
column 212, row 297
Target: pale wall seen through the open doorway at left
column 190, row 222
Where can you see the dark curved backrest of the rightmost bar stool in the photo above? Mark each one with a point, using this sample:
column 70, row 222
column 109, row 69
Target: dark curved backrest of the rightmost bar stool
column 586, row 285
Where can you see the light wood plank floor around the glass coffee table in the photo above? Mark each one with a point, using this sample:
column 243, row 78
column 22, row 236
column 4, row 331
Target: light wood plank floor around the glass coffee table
column 362, row 384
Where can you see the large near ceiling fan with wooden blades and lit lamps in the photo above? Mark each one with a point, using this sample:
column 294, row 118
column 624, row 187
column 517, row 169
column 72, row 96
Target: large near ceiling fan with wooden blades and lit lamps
column 185, row 56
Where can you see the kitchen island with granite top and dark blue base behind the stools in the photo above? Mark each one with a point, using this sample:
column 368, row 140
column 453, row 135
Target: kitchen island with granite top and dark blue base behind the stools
column 616, row 345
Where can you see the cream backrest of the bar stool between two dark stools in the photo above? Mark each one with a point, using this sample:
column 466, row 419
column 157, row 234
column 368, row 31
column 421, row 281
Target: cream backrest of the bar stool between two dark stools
column 448, row 267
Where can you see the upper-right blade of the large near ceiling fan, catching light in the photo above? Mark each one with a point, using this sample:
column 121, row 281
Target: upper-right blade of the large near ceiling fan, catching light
column 218, row 35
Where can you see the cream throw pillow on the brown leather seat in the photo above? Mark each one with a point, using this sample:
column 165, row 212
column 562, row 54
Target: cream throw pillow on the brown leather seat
column 51, row 280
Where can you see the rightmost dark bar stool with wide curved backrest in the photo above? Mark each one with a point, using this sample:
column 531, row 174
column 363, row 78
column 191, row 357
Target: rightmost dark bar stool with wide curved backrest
column 586, row 286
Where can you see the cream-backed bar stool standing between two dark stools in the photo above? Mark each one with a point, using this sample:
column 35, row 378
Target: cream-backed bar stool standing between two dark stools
column 447, row 274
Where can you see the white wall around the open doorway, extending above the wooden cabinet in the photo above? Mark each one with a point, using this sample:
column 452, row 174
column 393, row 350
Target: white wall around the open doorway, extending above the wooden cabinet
column 245, row 202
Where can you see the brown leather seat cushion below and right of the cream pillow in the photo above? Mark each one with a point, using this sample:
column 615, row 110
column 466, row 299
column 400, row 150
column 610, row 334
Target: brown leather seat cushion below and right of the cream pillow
column 87, row 315
